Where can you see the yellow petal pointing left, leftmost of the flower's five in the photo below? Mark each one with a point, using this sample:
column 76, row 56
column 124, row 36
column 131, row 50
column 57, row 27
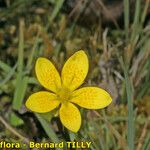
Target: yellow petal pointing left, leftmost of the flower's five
column 42, row 102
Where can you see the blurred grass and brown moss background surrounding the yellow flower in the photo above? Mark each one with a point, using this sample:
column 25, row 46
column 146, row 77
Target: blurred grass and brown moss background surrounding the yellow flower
column 116, row 36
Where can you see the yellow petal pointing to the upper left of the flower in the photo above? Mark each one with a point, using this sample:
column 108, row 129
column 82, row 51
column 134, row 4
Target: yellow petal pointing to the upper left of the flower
column 47, row 74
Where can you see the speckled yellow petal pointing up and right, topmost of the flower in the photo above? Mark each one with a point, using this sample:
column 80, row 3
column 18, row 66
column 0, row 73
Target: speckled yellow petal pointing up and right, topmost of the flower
column 75, row 70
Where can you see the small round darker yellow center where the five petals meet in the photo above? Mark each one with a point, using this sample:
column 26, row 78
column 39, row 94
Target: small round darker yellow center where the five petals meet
column 63, row 95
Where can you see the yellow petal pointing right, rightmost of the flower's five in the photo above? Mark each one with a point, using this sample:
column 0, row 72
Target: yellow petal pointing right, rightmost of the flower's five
column 91, row 98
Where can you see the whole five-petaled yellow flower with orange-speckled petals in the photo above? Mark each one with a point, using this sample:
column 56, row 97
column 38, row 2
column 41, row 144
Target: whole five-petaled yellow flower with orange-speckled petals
column 64, row 93
